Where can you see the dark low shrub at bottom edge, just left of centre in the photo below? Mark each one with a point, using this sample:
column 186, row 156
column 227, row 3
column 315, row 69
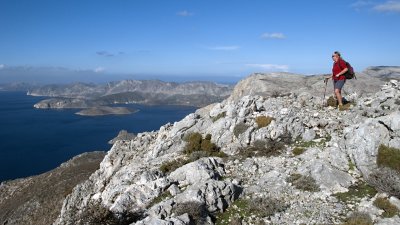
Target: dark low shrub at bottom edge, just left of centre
column 197, row 211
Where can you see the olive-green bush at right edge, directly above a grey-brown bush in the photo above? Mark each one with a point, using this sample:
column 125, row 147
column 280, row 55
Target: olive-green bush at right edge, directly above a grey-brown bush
column 388, row 157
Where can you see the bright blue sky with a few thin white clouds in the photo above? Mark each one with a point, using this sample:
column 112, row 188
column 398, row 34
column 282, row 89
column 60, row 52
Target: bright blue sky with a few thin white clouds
column 196, row 38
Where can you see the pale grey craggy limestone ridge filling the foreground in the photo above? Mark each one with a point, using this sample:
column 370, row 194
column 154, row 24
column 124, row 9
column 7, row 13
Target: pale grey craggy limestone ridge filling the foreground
column 339, row 152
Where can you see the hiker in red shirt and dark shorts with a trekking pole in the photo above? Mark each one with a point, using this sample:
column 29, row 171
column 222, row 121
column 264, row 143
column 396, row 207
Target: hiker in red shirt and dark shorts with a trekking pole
column 338, row 71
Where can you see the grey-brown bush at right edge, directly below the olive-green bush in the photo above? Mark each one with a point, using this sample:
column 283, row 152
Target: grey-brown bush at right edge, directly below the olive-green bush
column 385, row 180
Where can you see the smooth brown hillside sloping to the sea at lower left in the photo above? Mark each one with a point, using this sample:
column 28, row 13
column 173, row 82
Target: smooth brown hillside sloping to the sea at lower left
column 38, row 199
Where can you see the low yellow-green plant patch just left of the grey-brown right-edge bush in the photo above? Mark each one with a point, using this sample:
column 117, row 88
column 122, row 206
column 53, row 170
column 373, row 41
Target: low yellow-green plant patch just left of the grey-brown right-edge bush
column 357, row 191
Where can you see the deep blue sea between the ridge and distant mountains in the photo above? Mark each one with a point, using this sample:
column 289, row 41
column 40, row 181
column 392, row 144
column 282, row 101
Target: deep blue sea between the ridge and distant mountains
column 33, row 141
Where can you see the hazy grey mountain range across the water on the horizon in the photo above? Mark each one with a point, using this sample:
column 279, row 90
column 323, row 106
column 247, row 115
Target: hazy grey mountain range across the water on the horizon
column 83, row 95
